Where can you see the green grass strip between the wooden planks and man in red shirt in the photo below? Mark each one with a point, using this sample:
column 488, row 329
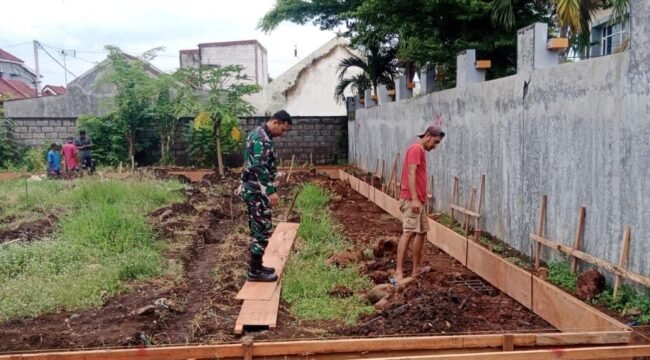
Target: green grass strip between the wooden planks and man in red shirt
column 308, row 279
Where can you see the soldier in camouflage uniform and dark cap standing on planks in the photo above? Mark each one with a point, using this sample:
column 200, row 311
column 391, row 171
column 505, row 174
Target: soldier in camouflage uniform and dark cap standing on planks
column 259, row 192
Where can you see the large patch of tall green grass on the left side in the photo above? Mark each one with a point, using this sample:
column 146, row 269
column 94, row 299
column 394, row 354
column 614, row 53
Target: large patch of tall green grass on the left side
column 102, row 241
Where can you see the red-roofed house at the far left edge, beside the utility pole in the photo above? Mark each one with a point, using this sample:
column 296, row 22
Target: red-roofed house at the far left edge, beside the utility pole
column 17, row 81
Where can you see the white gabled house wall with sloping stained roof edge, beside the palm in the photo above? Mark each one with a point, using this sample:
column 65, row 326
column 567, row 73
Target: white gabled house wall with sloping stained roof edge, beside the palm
column 307, row 88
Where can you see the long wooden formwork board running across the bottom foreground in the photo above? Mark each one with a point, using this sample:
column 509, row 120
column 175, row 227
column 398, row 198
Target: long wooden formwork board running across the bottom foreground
column 490, row 345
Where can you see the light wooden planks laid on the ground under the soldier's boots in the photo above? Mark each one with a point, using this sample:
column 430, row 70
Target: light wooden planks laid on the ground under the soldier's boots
column 262, row 300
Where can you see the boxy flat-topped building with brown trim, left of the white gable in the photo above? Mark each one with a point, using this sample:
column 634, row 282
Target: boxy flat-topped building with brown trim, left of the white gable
column 250, row 54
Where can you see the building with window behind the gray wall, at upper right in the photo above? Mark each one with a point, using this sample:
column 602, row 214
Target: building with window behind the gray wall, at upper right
column 607, row 37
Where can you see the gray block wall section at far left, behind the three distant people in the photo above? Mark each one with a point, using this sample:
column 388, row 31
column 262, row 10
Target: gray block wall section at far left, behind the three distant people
column 37, row 132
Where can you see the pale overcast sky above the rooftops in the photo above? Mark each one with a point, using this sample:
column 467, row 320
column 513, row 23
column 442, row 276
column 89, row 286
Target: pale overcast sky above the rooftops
column 139, row 25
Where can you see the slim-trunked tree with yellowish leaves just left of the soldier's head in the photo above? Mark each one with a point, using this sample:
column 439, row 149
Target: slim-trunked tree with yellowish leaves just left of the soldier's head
column 219, row 92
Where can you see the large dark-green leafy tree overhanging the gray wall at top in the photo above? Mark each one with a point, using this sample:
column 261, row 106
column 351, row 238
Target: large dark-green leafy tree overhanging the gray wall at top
column 423, row 32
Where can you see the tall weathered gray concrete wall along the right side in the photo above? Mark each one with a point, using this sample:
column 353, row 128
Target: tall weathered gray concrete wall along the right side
column 580, row 136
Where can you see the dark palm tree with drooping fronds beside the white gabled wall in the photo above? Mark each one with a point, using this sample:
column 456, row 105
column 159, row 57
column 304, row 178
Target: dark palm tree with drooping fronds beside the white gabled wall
column 378, row 66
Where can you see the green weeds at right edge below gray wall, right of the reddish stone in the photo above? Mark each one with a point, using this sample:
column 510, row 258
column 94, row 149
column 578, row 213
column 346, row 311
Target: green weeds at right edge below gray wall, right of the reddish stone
column 629, row 302
